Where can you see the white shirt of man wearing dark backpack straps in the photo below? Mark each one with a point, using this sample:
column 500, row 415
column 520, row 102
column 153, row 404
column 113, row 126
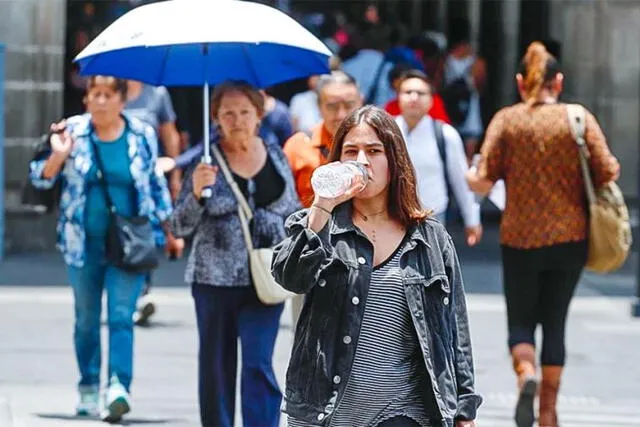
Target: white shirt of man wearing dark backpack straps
column 432, row 187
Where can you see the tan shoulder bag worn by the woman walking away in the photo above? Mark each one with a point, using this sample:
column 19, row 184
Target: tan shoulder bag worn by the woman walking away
column 609, row 228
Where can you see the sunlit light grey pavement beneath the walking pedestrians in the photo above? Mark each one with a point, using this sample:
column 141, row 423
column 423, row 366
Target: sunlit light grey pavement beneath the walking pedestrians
column 38, row 372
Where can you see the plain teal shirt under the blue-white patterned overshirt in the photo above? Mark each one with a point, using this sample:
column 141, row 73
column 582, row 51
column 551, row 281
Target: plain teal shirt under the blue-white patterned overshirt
column 119, row 184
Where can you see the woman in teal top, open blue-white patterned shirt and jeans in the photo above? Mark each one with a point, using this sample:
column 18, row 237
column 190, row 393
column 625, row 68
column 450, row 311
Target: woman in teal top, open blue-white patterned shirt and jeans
column 104, row 159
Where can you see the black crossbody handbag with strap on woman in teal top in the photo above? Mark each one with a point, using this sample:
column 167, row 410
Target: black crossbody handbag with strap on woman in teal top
column 130, row 244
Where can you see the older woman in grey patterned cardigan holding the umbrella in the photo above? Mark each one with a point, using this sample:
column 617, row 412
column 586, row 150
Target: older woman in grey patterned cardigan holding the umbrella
column 227, row 306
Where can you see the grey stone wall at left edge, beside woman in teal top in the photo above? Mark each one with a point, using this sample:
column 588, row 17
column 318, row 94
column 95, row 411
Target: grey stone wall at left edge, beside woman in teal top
column 33, row 32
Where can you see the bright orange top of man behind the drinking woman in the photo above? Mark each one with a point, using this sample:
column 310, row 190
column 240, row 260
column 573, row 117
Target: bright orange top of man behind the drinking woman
column 305, row 155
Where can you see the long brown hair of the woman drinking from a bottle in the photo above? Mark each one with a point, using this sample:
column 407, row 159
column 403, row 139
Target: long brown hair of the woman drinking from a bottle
column 403, row 204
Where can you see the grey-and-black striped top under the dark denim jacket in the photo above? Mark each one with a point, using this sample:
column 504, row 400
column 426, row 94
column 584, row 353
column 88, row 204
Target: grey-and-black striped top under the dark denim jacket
column 388, row 377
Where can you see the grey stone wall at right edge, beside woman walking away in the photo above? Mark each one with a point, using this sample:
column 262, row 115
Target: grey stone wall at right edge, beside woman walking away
column 601, row 59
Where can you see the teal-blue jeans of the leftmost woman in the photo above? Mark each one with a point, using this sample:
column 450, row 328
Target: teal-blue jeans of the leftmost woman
column 122, row 288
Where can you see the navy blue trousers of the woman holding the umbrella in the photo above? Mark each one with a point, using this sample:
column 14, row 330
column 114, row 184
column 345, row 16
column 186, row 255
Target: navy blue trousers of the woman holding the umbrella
column 223, row 315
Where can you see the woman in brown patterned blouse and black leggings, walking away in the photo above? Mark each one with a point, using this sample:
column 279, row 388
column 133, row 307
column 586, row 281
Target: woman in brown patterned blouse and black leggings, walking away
column 544, row 226
